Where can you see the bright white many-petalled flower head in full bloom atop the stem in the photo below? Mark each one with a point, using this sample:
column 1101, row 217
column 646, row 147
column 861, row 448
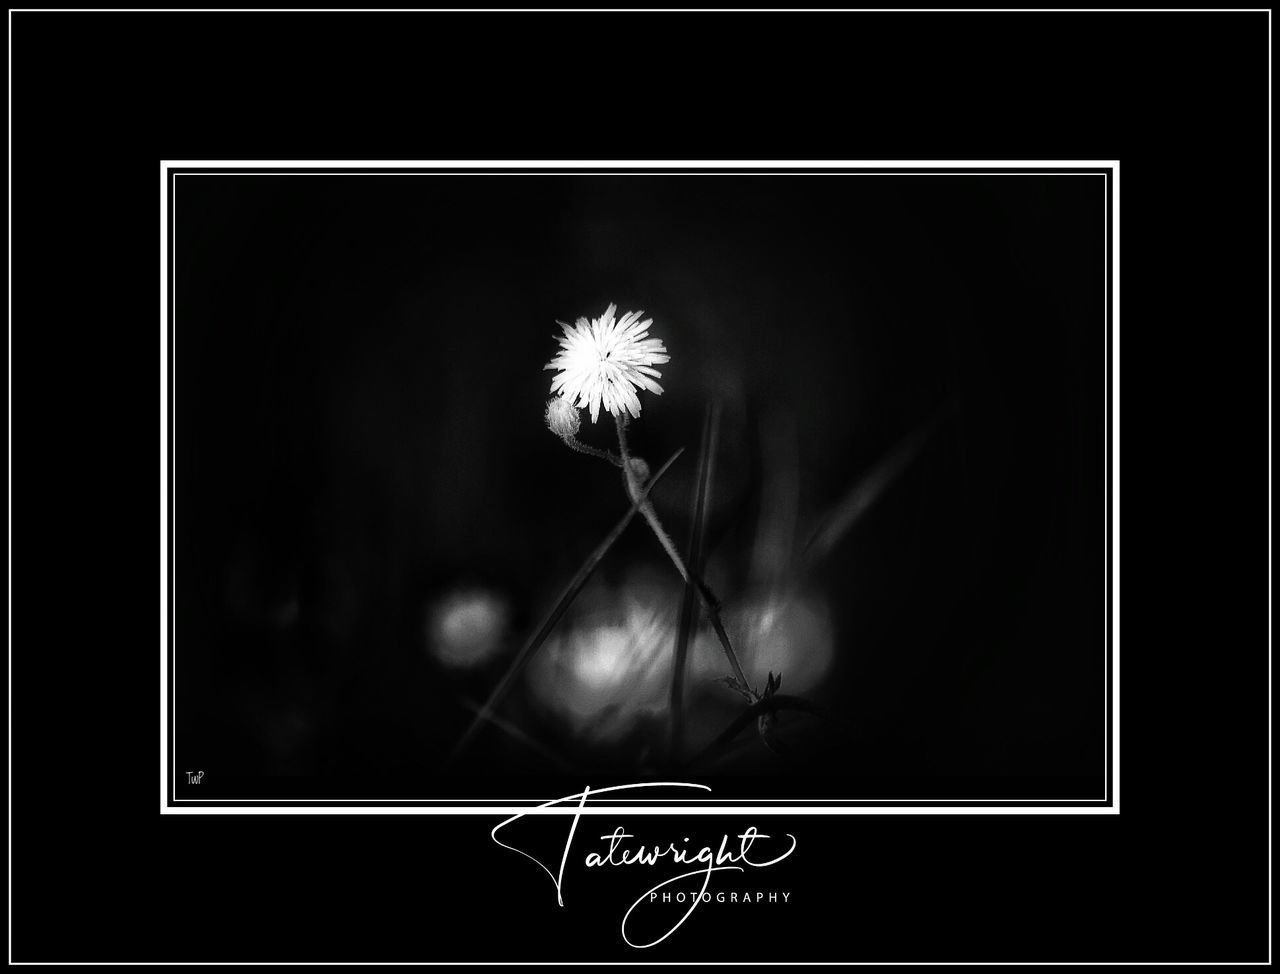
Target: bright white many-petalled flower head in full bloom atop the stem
column 602, row 360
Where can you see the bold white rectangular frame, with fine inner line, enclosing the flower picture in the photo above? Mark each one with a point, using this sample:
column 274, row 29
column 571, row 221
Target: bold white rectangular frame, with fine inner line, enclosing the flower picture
column 280, row 168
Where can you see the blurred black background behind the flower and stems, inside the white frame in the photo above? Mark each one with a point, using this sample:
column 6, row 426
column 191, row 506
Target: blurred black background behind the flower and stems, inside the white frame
column 358, row 433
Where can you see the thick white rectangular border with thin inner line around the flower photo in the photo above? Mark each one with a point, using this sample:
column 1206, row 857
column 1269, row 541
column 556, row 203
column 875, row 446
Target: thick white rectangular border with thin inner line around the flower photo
column 255, row 807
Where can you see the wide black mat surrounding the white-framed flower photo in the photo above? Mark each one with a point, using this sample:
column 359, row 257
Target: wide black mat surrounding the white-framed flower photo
column 98, row 100
